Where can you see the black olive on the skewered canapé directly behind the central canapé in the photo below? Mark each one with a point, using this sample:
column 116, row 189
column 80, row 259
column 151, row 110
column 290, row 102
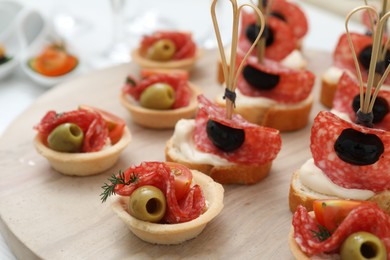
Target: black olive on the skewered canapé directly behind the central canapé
column 259, row 79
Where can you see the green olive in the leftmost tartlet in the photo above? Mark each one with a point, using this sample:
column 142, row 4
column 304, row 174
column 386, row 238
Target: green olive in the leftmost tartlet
column 67, row 138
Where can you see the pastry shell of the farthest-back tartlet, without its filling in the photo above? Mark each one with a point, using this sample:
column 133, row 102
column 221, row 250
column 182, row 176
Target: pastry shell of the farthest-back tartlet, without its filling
column 184, row 64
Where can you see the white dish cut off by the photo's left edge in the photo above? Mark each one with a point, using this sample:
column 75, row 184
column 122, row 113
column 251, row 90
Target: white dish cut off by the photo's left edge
column 9, row 14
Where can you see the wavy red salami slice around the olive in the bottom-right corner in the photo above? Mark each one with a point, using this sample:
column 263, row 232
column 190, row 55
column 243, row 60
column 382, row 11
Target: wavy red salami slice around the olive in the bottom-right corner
column 368, row 218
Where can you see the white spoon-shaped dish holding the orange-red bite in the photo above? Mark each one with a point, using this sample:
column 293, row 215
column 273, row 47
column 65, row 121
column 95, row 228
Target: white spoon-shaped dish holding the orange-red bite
column 35, row 34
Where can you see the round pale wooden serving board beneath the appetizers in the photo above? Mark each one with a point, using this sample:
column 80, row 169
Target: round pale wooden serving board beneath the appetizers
column 44, row 214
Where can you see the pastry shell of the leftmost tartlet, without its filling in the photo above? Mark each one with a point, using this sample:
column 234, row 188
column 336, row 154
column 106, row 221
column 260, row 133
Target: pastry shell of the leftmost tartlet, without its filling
column 83, row 164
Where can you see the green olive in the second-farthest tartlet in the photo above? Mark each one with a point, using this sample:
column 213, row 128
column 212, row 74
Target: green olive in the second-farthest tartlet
column 158, row 96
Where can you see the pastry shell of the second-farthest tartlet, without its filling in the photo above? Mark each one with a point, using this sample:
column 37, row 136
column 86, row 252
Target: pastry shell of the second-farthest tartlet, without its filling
column 161, row 119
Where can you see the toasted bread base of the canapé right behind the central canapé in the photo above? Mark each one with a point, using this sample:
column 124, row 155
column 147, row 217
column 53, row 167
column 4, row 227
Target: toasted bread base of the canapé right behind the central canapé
column 282, row 117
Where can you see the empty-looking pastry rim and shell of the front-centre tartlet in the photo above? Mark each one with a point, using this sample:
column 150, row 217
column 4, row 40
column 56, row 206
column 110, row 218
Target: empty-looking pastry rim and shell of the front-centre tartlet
column 167, row 234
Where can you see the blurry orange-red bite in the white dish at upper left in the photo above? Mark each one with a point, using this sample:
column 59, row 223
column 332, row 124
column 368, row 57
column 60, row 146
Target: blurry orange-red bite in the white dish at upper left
column 53, row 61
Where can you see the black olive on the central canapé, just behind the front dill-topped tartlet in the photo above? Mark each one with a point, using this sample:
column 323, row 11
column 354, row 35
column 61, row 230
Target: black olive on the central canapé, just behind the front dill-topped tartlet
column 224, row 137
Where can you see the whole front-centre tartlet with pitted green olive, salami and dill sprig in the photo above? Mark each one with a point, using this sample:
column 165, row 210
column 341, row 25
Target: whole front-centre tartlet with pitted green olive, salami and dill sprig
column 164, row 203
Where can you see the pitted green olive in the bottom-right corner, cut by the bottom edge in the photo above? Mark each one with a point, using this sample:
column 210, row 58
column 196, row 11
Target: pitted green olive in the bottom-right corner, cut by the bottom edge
column 363, row 245
